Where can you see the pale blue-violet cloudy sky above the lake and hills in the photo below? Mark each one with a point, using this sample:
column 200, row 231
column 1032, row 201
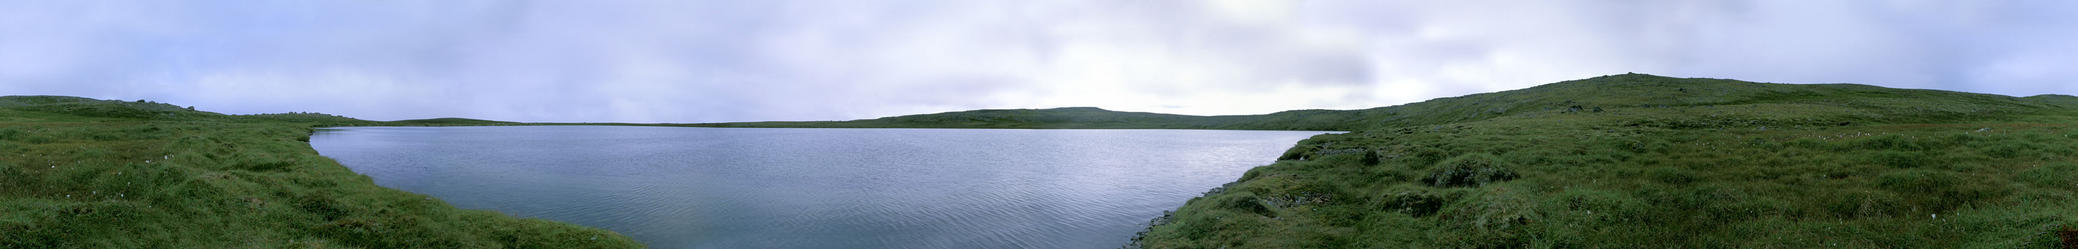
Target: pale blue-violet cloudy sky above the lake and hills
column 720, row 61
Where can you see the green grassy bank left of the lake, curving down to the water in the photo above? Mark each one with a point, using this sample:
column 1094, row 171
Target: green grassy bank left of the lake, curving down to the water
column 99, row 175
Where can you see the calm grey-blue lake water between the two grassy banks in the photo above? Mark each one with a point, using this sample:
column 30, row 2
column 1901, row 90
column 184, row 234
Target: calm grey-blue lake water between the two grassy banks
column 816, row 188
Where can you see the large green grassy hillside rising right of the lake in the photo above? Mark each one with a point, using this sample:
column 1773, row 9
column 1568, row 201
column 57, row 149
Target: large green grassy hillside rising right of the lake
column 1666, row 163
